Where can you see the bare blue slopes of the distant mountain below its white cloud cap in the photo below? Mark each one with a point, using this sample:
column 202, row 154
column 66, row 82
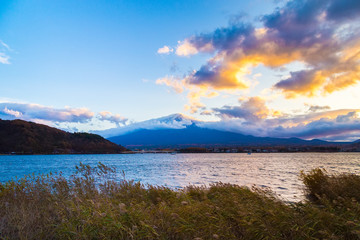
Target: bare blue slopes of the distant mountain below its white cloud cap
column 193, row 135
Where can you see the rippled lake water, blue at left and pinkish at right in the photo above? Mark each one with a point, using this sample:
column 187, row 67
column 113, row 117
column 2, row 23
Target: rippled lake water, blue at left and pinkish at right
column 278, row 171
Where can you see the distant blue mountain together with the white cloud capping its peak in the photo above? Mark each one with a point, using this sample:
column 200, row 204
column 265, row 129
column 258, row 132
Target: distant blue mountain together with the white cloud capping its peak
column 178, row 130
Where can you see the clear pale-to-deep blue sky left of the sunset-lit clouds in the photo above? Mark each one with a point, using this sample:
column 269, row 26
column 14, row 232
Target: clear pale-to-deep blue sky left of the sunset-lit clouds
column 100, row 55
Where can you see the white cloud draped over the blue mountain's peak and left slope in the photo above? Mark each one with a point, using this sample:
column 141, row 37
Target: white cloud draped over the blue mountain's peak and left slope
column 174, row 121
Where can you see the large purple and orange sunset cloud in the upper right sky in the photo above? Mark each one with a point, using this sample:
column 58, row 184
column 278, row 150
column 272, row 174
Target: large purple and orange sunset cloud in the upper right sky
column 314, row 33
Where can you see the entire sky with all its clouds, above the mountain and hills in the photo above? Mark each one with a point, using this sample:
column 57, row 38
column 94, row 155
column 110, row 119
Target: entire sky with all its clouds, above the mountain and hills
column 262, row 67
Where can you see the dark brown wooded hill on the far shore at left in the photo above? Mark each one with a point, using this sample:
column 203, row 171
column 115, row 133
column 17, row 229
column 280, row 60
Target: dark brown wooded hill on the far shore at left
column 22, row 137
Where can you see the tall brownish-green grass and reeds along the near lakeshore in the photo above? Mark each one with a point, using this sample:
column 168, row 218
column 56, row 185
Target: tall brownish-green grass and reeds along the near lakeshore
column 92, row 205
